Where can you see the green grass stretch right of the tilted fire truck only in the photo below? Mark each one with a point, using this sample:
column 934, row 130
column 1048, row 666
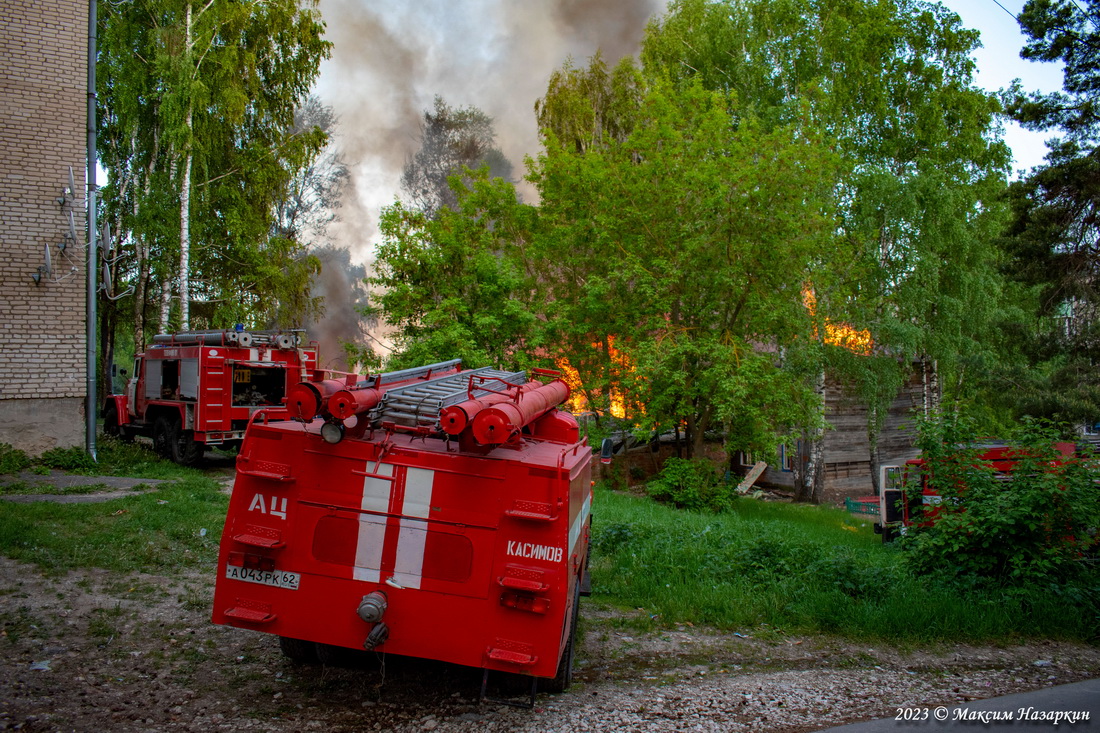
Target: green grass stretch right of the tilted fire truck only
column 773, row 567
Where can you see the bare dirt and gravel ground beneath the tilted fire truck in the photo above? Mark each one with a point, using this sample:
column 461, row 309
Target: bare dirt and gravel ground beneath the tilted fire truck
column 93, row 652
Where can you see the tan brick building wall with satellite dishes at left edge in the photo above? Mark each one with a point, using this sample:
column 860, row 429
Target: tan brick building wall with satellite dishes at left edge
column 43, row 132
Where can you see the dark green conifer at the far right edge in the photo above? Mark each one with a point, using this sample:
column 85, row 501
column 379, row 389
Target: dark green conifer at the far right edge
column 1051, row 242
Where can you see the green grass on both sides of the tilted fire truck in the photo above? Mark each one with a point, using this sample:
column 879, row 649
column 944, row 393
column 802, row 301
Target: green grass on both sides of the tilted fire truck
column 765, row 568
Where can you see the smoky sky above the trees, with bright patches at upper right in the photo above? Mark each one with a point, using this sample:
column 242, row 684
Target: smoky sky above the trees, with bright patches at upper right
column 391, row 60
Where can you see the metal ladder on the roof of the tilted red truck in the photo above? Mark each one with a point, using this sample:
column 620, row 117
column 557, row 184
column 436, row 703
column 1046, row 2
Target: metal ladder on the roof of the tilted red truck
column 419, row 404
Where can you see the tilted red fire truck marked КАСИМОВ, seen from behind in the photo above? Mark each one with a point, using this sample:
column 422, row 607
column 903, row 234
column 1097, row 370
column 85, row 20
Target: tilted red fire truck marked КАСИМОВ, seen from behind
column 436, row 512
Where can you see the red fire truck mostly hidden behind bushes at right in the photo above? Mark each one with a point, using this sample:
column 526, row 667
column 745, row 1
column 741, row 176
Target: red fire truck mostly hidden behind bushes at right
column 897, row 513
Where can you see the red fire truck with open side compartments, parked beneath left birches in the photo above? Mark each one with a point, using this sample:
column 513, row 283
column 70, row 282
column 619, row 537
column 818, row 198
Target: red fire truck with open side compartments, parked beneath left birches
column 200, row 389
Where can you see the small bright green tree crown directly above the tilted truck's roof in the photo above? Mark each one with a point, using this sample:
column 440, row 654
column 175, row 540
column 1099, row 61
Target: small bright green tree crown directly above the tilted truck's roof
column 454, row 287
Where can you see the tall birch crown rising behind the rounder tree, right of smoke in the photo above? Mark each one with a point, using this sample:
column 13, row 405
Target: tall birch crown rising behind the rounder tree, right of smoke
column 922, row 168
